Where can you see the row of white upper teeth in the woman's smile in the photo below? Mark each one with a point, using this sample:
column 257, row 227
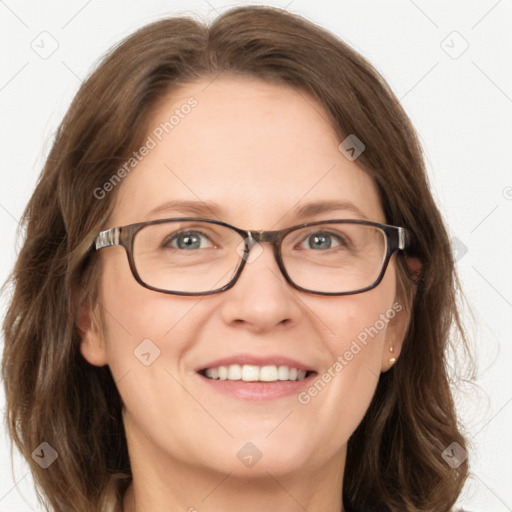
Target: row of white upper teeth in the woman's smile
column 252, row 373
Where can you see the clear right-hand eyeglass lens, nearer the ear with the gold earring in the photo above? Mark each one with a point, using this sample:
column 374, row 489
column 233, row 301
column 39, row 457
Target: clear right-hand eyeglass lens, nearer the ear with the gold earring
column 334, row 257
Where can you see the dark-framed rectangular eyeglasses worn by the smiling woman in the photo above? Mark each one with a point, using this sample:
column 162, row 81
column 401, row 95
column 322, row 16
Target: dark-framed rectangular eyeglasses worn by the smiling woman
column 193, row 256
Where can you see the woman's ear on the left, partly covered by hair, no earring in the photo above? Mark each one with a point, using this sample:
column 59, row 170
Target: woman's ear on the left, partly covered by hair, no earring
column 92, row 344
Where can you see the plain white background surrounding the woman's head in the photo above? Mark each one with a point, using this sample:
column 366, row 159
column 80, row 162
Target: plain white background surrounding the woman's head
column 461, row 104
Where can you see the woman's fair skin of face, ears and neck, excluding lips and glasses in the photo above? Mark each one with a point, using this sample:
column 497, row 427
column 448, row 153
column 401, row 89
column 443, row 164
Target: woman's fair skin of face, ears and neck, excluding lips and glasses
column 258, row 150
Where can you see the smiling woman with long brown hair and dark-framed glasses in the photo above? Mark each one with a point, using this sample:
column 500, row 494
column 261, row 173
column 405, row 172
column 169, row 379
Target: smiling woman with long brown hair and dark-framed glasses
column 235, row 289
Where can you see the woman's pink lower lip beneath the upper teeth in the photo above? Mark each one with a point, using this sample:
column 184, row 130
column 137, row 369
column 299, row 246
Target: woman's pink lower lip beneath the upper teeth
column 259, row 390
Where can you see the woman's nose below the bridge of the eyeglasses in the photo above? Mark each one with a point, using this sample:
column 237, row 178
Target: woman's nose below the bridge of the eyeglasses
column 261, row 299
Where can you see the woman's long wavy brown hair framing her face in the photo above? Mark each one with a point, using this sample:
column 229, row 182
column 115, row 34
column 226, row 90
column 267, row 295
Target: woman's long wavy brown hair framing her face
column 394, row 457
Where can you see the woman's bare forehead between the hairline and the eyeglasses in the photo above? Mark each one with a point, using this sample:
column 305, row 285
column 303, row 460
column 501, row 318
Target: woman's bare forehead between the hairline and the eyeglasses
column 257, row 150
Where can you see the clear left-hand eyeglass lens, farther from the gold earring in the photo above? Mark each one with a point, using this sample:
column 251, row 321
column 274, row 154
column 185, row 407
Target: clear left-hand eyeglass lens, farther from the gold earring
column 187, row 256
